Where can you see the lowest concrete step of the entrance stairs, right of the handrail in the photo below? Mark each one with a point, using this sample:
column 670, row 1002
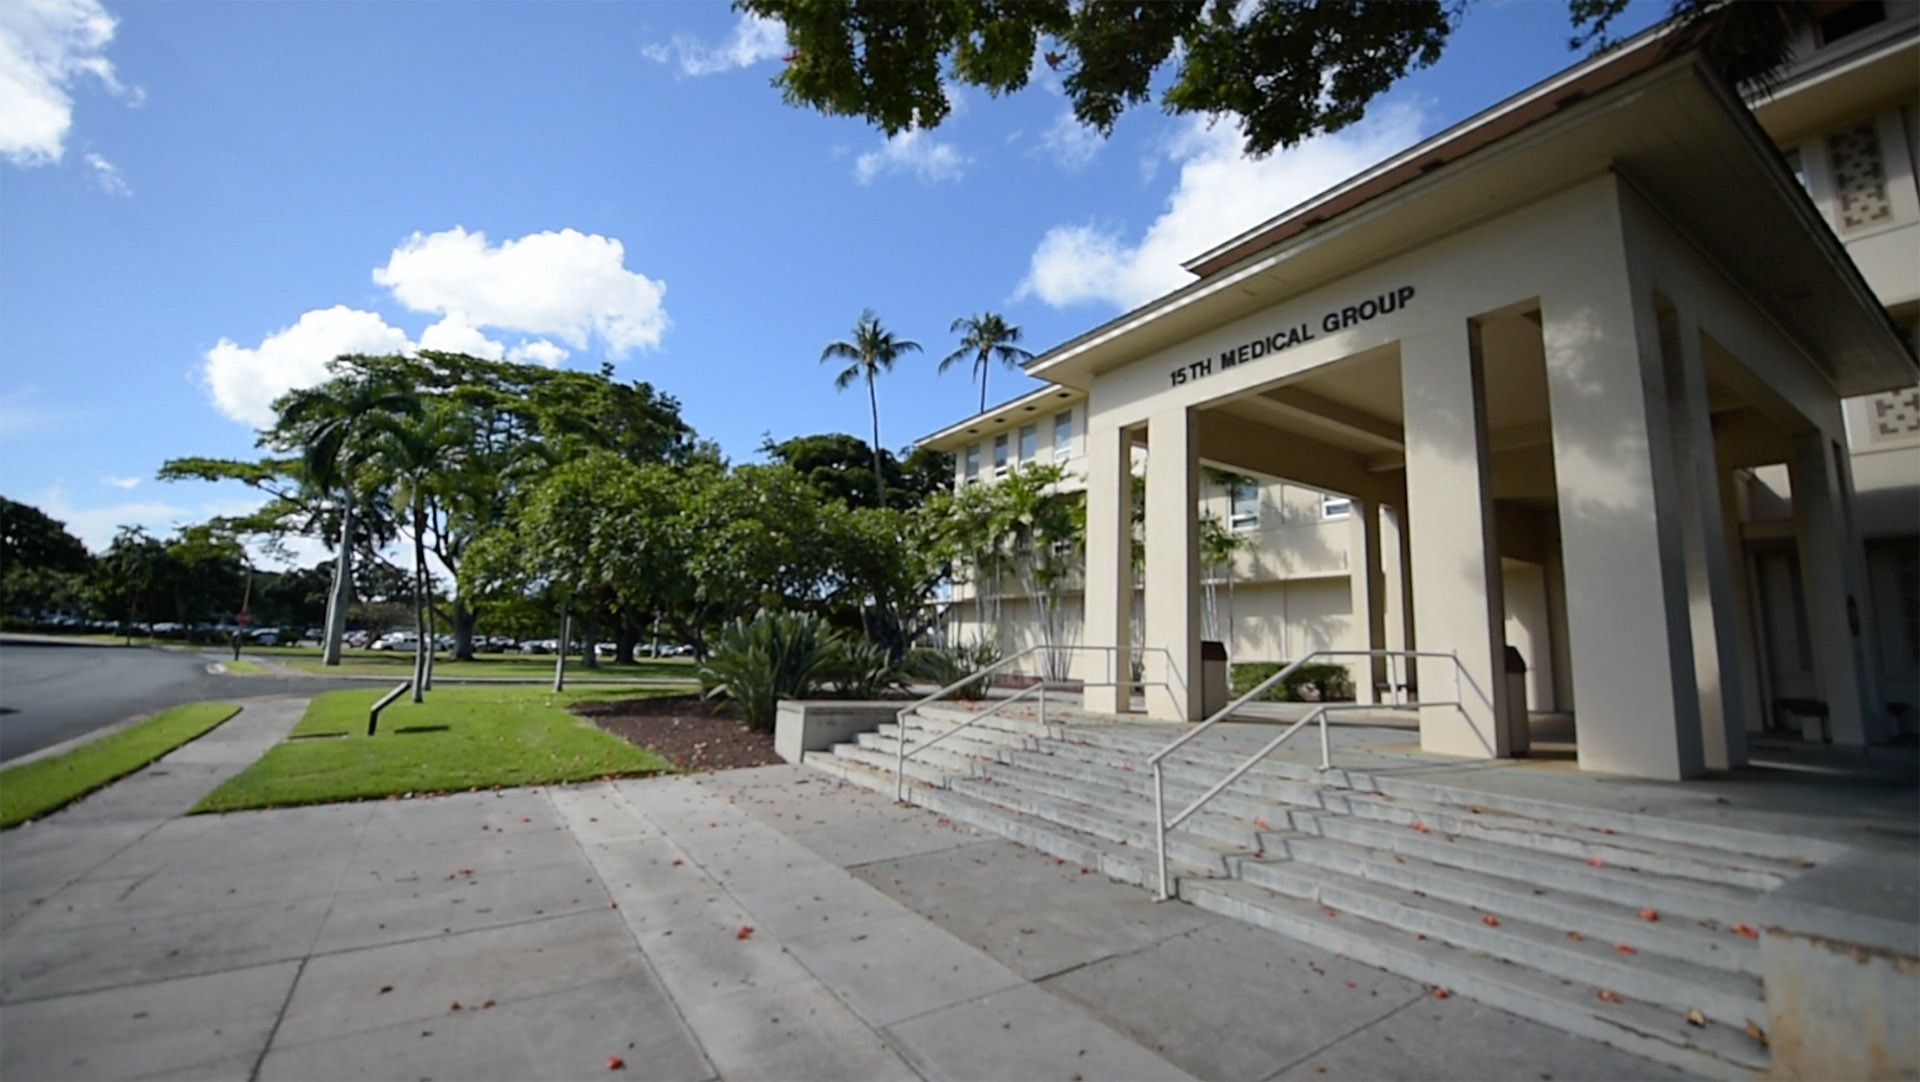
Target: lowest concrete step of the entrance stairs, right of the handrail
column 1631, row 1025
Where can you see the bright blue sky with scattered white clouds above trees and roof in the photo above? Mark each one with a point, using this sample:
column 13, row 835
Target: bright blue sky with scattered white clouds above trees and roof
column 203, row 202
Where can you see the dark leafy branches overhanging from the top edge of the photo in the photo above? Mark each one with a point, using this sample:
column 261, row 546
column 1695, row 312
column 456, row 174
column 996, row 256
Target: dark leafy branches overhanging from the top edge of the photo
column 1284, row 70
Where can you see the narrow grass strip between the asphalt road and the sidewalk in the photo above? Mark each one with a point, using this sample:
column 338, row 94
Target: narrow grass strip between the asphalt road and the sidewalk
column 45, row 786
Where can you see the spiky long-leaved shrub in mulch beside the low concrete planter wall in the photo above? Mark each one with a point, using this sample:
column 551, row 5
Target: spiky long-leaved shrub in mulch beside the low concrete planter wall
column 779, row 655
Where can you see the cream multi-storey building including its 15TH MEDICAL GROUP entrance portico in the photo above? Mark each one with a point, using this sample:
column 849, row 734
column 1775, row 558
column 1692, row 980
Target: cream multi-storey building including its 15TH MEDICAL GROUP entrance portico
column 1618, row 373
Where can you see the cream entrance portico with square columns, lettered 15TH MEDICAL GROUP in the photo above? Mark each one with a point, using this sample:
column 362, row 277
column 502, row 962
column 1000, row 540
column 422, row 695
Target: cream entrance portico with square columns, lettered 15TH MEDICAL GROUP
column 1529, row 350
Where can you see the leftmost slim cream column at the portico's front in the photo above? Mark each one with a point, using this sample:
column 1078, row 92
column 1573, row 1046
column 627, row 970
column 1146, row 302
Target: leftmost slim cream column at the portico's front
column 1109, row 569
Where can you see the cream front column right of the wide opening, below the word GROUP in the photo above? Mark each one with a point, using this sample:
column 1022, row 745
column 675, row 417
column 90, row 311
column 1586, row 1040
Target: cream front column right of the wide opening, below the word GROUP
column 1456, row 563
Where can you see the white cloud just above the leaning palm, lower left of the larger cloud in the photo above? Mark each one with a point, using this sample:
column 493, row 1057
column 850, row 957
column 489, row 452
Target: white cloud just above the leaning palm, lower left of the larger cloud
column 247, row 381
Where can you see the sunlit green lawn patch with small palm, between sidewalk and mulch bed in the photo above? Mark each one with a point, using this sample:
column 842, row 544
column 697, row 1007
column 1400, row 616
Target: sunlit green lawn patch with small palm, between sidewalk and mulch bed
column 462, row 738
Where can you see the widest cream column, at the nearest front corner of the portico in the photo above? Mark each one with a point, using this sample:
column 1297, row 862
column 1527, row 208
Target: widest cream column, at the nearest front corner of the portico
column 1629, row 617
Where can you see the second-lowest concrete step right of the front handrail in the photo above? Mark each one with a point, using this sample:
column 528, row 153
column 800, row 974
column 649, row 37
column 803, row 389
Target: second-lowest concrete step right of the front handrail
column 1650, row 977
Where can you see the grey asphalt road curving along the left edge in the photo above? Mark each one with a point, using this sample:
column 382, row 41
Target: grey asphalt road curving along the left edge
column 57, row 692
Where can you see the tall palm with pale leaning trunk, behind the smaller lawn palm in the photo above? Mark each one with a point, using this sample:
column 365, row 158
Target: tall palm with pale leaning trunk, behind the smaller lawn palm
column 329, row 427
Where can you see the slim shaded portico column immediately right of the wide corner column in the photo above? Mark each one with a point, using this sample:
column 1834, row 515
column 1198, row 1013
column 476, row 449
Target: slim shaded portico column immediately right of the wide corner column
column 1723, row 705
